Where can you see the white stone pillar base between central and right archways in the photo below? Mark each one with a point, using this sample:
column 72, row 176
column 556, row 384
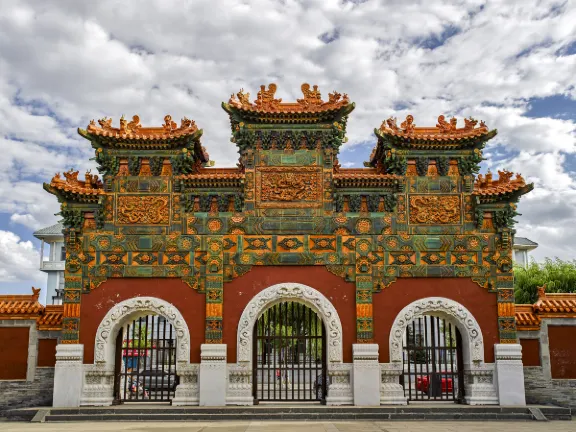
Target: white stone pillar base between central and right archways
column 366, row 374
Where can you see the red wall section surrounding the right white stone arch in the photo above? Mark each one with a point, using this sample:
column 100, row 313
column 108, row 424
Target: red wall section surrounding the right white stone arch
column 481, row 303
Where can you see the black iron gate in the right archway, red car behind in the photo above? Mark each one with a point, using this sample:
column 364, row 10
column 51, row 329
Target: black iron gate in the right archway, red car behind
column 433, row 365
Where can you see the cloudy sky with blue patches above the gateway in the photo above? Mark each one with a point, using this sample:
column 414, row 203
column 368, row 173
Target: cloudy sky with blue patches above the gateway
column 64, row 62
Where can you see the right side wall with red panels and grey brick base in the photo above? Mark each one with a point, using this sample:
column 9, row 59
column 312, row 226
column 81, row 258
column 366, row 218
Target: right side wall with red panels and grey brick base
column 551, row 381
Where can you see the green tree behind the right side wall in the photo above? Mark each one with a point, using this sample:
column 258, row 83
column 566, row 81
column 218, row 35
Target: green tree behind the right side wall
column 557, row 275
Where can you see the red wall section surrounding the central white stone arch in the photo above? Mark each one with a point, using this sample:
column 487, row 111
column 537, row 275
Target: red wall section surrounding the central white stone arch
column 240, row 291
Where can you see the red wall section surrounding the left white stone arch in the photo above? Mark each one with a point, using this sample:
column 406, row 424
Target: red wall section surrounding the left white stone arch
column 96, row 304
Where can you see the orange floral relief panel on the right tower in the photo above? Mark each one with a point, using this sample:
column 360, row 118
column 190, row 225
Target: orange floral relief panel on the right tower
column 430, row 209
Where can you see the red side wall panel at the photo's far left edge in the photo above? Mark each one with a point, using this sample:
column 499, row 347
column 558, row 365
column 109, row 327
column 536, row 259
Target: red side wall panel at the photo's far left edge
column 14, row 357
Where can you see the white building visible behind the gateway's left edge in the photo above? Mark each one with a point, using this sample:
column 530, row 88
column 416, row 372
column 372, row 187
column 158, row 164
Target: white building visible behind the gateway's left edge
column 54, row 265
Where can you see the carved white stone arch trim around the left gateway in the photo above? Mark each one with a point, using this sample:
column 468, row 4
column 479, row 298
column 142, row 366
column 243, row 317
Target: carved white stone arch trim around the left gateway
column 127, row 311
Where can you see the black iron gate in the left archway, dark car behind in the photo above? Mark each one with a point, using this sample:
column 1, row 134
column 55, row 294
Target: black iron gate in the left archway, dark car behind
column 146, row 361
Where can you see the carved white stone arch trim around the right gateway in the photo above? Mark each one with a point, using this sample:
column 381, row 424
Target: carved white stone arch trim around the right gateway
column 473, row 349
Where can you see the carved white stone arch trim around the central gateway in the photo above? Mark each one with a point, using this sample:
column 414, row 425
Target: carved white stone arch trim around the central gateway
column 295, row 292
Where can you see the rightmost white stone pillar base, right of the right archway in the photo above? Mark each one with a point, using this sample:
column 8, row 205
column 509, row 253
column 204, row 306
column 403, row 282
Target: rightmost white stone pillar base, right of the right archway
column 510, row 374
